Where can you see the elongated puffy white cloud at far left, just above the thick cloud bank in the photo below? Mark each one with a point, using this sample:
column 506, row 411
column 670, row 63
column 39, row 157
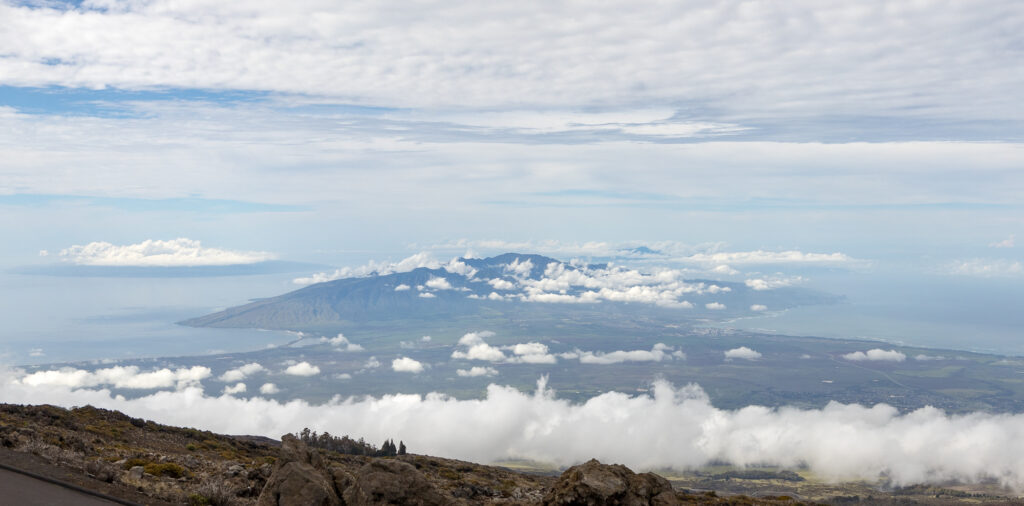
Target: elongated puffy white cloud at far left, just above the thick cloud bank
column 118, row 377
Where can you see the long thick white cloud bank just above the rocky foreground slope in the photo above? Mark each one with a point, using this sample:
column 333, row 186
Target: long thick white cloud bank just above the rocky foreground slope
column 671, row 428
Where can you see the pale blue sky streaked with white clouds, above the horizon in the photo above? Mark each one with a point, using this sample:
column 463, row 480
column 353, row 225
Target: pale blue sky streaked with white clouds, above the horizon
column 889, row 132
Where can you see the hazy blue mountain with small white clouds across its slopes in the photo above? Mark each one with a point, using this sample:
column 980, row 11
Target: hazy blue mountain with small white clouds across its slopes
column 513, row 282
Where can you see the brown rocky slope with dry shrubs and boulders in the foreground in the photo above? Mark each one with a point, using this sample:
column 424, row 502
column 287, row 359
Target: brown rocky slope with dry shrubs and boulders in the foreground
column 145, row 462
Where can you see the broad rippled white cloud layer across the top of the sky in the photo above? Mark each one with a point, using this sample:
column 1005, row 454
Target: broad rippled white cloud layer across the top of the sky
column 268, row 48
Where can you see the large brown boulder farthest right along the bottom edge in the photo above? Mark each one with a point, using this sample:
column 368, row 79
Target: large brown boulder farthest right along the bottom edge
column 596, row 484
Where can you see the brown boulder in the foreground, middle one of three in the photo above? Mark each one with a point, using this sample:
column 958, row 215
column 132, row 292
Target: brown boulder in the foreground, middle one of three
column 390, row 482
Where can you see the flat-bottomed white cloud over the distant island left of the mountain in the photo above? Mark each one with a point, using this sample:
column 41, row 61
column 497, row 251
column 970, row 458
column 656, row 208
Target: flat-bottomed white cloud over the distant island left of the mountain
column 155, row 254
